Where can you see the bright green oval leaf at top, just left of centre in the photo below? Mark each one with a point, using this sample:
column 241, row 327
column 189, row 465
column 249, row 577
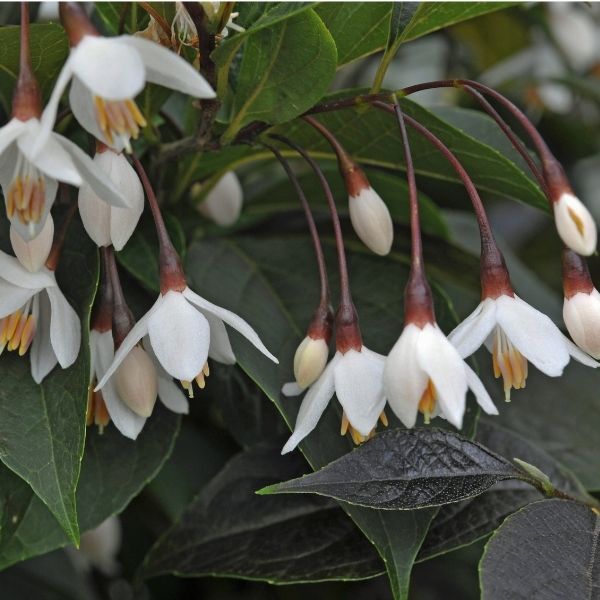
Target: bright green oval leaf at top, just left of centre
column 284, row 71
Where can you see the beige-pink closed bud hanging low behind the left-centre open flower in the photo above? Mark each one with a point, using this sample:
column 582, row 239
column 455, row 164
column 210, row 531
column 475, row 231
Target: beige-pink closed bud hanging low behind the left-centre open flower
column 136, row 382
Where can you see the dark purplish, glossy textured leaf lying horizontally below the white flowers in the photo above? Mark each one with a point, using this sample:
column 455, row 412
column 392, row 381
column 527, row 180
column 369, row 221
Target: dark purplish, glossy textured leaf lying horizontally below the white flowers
column 406, row 469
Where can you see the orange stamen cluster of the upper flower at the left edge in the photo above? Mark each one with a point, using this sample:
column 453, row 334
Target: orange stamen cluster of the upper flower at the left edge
column 26, row 194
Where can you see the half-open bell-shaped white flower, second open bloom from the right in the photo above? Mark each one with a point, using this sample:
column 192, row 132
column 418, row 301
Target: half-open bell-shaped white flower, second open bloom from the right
column 425, row 372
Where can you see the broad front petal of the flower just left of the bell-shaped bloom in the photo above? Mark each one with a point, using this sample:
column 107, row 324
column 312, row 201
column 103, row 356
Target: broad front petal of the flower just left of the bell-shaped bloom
column 359, row 388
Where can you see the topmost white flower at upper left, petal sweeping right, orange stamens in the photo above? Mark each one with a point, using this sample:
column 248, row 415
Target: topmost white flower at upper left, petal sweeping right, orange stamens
column 108, row 73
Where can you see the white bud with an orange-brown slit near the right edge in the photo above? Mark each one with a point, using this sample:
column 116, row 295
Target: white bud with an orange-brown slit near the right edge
column 575, row 224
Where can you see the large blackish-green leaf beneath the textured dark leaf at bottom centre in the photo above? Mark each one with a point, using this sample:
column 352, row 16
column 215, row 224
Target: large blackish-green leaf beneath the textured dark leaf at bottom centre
column 223, row 531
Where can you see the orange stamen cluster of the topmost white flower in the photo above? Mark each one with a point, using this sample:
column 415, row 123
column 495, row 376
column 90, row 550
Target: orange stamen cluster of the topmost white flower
column 120, row 119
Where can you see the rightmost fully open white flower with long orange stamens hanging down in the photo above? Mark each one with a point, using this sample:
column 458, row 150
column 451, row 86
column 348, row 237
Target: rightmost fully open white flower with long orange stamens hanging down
column 515, row 332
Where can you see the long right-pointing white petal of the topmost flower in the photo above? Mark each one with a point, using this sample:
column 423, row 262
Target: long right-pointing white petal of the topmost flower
column 167, row 68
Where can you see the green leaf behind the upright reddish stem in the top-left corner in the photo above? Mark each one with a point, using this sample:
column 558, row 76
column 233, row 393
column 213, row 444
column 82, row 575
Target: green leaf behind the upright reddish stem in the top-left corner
column 49, row 50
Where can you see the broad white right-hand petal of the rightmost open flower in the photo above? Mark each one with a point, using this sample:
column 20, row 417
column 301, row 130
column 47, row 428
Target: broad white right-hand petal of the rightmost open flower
column 533, row 334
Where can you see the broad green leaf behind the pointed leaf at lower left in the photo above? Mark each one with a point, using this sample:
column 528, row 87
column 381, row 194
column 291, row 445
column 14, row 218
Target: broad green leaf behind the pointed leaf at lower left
column 113, row 471
